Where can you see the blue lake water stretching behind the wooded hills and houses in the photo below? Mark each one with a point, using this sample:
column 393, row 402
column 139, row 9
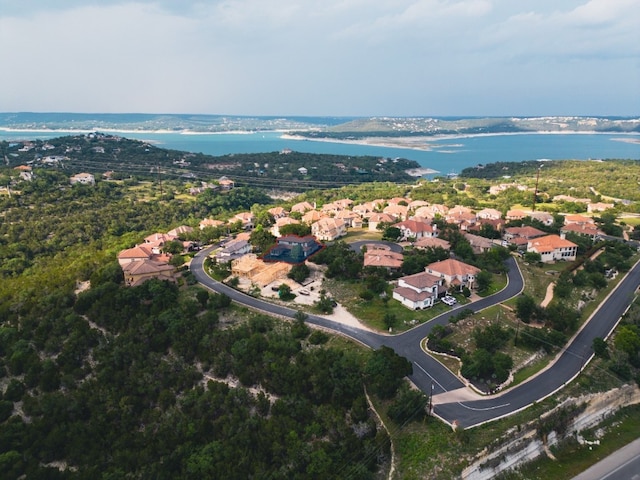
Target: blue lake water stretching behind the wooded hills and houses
column 447, row 154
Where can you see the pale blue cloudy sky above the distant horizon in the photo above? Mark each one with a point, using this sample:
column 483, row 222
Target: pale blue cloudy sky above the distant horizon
column 322, row 58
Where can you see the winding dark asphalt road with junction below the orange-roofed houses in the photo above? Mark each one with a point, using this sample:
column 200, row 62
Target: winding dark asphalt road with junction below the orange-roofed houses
column 432, row 377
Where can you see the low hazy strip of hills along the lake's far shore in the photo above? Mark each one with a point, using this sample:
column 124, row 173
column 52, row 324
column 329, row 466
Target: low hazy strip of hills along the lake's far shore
column 317, row 127
